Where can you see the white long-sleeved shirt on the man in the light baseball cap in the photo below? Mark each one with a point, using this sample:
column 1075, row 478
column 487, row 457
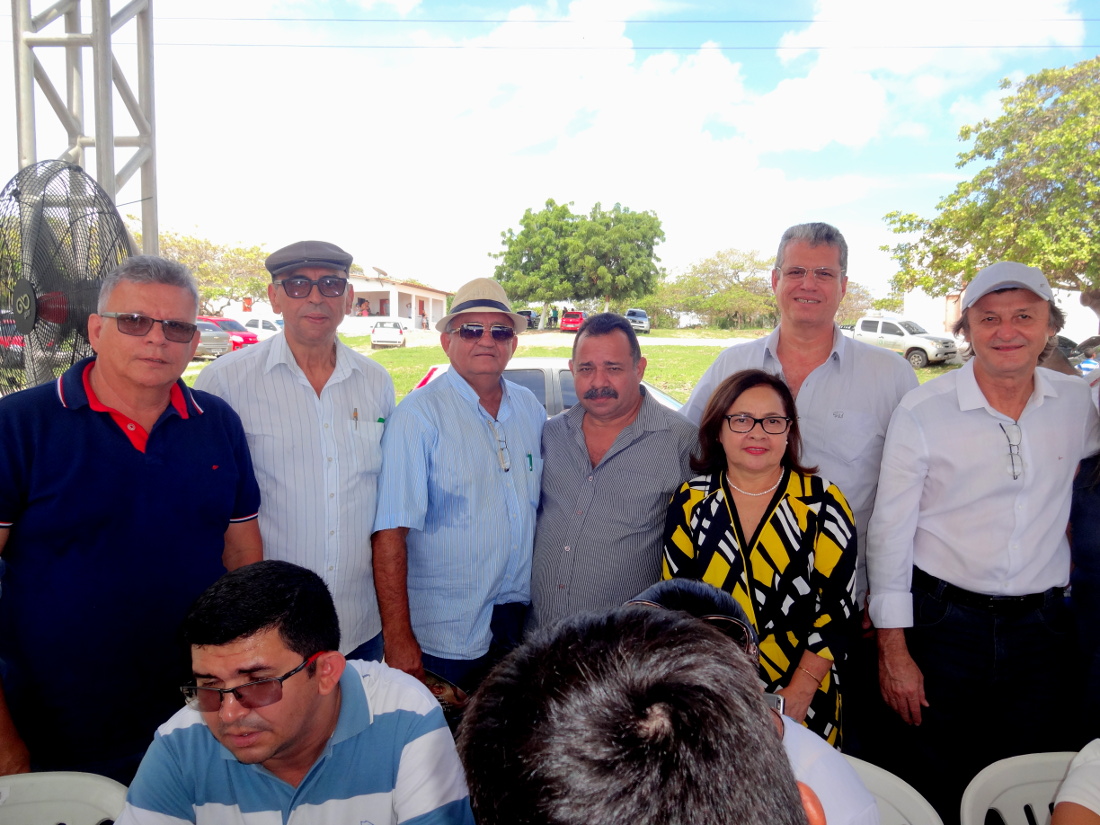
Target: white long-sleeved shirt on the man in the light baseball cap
column 949, row 502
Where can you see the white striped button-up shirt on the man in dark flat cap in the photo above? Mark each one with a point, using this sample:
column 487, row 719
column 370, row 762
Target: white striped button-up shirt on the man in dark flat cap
column 317, row 461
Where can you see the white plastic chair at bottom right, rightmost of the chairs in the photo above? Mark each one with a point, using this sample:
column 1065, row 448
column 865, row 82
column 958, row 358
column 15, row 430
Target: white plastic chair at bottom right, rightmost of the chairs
column 1016, row 788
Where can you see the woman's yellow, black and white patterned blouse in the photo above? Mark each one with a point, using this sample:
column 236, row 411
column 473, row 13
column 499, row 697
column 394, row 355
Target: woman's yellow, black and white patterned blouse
column 802, row 566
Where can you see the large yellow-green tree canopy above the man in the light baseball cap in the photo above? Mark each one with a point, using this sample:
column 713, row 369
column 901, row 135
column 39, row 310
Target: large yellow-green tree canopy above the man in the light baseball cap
column 1035, row 200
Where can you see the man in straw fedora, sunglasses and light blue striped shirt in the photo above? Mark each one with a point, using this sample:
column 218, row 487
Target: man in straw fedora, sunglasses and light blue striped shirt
column 460, row 488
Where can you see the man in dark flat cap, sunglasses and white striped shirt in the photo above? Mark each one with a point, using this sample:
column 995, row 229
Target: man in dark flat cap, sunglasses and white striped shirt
column 314, row 412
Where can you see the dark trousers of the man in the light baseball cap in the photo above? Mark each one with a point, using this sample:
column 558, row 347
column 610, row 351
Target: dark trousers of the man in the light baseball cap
column 1000, row 681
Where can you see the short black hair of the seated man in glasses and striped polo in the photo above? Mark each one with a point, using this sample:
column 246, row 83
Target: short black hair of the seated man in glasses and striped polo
column 267, row 596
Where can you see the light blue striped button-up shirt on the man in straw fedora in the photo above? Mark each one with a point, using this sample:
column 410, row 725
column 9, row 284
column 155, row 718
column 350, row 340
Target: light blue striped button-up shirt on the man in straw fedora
column 467, row 486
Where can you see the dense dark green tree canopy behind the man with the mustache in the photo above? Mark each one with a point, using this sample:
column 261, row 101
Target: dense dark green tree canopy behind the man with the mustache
column 558, row 256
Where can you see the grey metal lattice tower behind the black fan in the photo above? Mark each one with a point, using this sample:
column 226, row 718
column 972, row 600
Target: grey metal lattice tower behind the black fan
column 30, row 34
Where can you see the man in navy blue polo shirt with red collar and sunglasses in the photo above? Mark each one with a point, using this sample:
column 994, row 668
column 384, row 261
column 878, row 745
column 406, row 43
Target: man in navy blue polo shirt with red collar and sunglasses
column 124, row 496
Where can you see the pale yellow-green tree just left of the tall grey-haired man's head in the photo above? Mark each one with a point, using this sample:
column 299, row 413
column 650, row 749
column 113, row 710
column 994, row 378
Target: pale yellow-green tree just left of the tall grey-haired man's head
column 731, row 290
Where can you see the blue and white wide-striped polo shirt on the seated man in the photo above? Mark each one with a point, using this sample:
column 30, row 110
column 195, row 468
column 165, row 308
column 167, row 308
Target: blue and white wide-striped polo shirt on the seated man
column 391, row 761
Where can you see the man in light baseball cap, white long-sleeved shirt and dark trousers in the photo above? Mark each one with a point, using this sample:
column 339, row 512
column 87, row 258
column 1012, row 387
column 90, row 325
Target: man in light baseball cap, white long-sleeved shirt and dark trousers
column 967, row 555
